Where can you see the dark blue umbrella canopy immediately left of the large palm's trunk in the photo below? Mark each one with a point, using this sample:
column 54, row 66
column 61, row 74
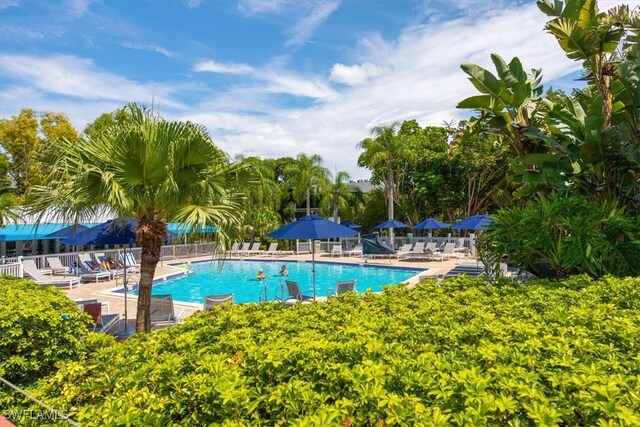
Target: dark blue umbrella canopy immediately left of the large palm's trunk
column 113, row 232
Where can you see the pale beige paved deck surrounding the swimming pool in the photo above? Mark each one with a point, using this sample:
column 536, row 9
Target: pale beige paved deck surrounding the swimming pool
column 103, row 291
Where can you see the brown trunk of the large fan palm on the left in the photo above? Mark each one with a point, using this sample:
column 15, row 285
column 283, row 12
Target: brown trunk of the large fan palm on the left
column 150, row 234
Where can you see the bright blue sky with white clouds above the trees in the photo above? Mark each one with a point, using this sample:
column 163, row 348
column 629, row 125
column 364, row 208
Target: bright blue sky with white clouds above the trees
column 267, row 77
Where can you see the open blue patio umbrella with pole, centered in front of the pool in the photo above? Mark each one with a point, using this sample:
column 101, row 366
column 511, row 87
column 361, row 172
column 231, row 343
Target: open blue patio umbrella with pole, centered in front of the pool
column 312, row 227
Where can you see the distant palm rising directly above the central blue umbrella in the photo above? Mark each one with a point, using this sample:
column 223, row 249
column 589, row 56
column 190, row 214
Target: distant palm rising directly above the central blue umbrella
column 307, row 175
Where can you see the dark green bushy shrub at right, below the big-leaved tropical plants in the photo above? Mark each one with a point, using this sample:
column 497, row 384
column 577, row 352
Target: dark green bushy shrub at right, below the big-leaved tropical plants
column 564, row 234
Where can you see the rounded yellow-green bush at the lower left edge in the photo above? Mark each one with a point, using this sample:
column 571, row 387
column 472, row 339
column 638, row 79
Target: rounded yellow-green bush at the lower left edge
column 39, row 327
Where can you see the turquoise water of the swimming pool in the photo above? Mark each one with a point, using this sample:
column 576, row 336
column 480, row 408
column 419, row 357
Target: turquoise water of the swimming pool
column 239, row 277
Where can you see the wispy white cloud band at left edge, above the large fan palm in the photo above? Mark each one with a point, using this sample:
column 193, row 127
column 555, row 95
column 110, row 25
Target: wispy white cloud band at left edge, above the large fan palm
column 70, row 76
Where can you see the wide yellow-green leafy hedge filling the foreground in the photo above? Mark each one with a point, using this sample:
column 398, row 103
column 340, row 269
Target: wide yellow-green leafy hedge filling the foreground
column 463, row 353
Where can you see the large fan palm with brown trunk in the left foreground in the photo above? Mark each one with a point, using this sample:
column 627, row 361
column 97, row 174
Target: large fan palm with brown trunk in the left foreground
column 149, row 169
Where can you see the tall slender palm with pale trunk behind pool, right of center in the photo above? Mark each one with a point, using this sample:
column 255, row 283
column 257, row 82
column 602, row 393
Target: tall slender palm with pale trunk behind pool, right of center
column 386, row 155
